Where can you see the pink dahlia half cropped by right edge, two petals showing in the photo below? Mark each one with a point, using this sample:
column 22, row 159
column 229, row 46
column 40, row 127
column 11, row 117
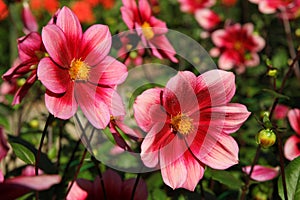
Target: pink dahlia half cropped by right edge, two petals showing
column 292, row 145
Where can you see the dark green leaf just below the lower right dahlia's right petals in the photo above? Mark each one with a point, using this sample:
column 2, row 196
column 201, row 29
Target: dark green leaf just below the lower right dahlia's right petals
column 226, row 178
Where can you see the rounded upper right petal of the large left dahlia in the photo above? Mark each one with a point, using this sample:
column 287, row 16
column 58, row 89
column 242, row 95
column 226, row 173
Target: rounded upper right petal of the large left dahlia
column 96, row 43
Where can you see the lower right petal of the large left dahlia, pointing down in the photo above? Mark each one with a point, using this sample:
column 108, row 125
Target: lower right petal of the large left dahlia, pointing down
column 95, row 103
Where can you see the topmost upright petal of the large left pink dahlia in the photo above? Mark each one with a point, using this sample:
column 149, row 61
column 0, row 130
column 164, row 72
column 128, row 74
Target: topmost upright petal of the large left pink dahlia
column 70, row 25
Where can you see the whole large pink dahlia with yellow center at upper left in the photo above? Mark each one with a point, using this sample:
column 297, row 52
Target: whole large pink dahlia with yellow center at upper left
column 78, row 71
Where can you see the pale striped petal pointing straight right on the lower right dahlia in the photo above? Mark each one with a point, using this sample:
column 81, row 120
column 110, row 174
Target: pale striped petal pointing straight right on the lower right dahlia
column 228, row 118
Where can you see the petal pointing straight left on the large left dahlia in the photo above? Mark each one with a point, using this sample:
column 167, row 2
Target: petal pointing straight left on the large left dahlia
column 54, row 78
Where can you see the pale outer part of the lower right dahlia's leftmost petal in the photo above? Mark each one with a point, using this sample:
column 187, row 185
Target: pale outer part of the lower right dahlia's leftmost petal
column 142, row 106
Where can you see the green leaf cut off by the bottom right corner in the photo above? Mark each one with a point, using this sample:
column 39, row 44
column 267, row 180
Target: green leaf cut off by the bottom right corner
column 292, row 178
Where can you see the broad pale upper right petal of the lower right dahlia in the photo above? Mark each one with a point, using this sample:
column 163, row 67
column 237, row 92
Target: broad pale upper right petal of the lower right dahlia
column 214, row 88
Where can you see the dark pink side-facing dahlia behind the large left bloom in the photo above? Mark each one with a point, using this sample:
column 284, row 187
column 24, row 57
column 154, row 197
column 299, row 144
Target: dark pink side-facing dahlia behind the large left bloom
column 31, row 50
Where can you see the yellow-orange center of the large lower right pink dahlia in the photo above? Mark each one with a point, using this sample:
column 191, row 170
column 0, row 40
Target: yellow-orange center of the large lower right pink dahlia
column 182, row 124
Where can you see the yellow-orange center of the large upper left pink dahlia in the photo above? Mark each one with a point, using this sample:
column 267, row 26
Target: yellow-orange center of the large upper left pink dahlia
column 79, row 70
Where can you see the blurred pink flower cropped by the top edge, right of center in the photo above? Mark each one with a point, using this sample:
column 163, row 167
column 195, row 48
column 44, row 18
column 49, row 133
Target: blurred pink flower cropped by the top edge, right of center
column 191, row 6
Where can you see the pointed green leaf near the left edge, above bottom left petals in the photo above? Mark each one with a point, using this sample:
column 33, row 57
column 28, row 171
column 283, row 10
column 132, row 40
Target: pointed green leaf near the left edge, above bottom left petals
column 23, row 153
